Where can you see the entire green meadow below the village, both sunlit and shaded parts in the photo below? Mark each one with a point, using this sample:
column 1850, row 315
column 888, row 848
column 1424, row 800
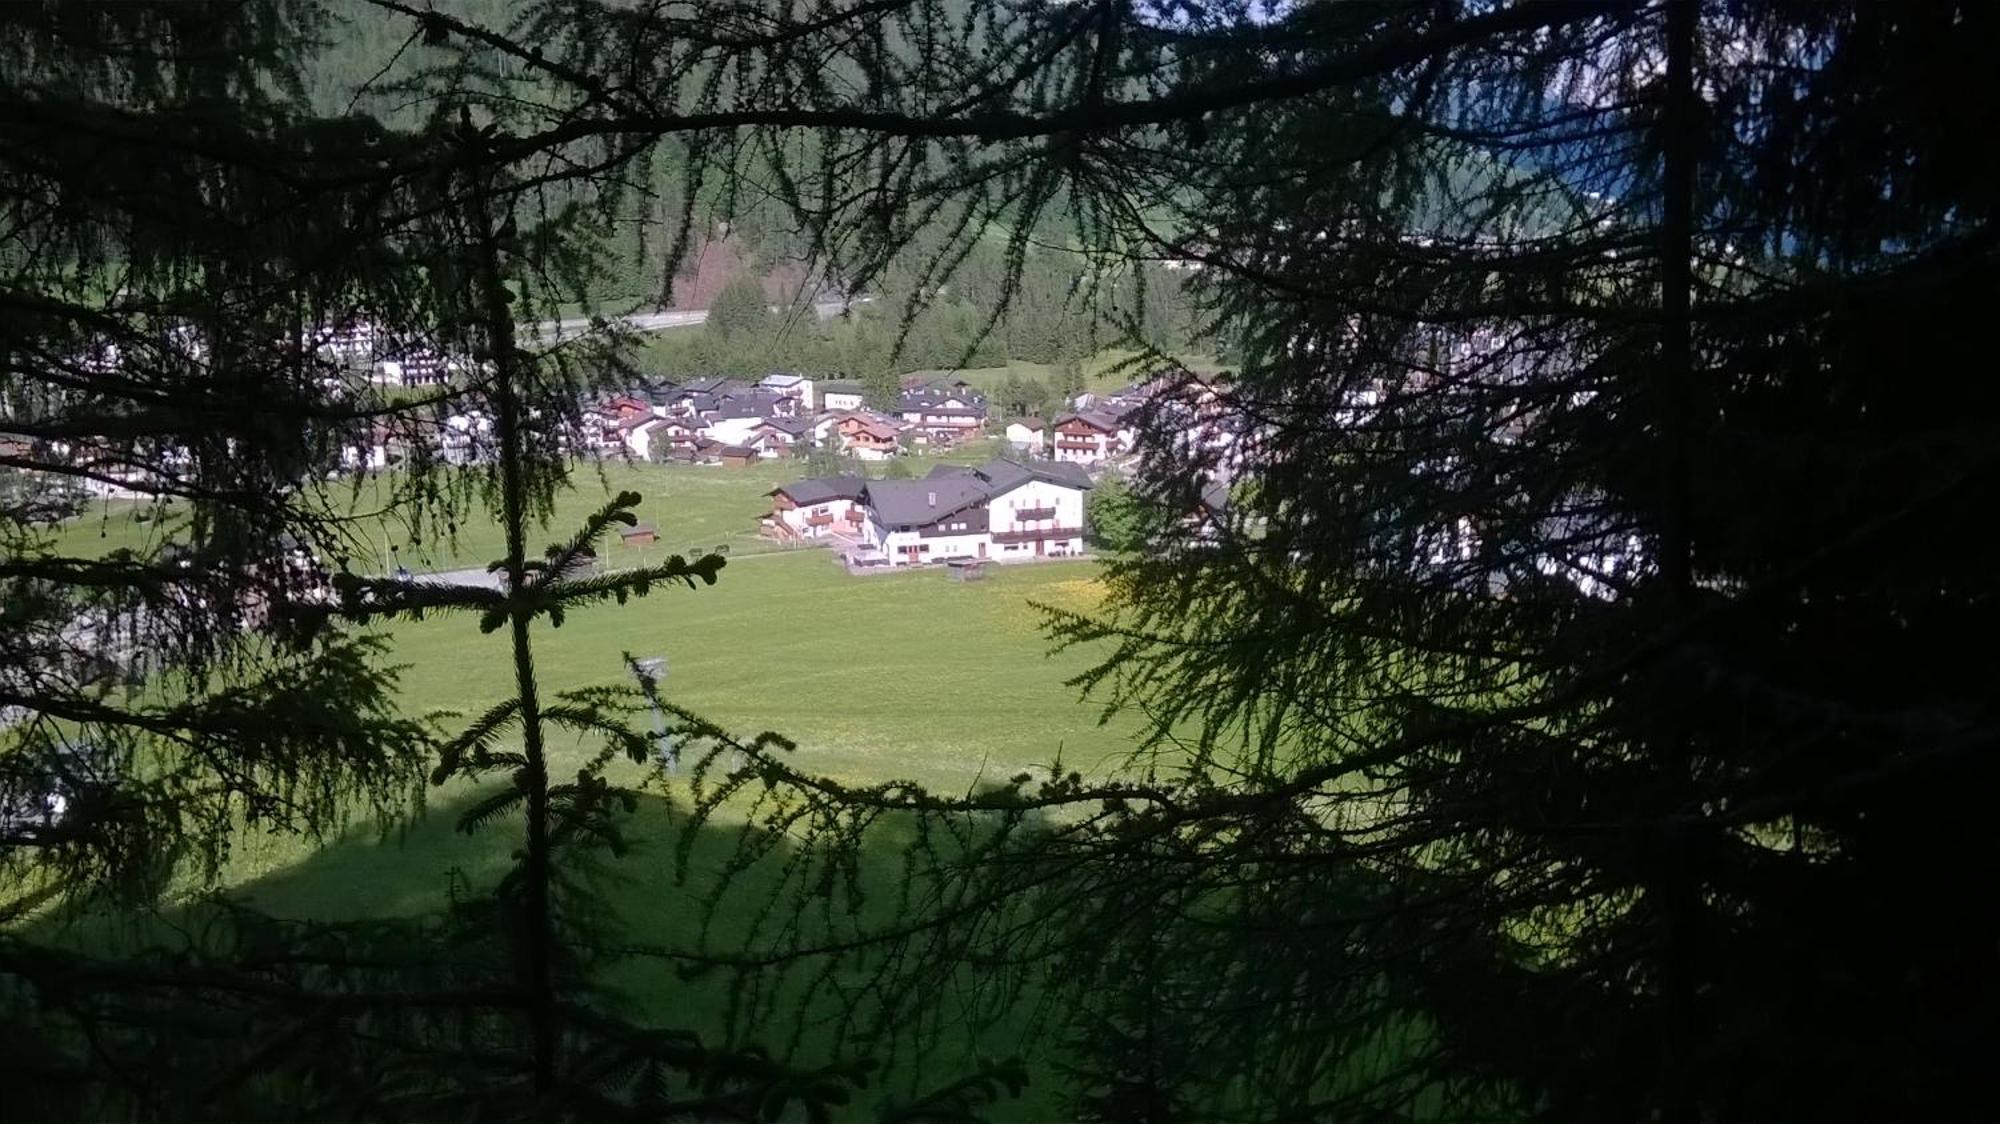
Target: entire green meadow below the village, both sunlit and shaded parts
column 887, row 677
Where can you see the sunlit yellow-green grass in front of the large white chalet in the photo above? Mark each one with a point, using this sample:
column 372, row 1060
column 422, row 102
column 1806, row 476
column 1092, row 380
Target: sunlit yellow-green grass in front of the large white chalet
column 885, row 677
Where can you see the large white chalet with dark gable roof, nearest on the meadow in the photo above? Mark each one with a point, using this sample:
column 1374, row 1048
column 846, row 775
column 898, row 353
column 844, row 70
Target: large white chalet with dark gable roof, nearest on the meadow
column 999, row 511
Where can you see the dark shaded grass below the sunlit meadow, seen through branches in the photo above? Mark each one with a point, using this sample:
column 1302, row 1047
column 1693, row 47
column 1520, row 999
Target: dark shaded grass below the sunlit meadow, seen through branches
column 419, row 867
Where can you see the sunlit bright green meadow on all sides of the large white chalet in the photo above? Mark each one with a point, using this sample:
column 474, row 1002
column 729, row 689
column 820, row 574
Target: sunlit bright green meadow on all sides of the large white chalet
column 885, row 677
